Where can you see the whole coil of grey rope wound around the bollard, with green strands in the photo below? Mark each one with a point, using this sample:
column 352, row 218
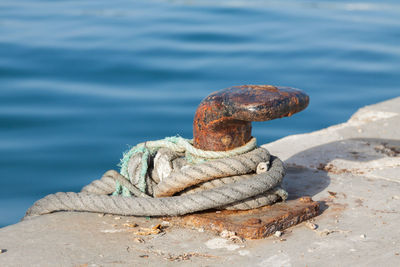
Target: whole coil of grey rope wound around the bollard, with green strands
column 171, row 177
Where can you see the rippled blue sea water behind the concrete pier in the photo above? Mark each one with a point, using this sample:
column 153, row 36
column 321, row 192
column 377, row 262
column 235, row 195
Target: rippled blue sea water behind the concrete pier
column 82, row 80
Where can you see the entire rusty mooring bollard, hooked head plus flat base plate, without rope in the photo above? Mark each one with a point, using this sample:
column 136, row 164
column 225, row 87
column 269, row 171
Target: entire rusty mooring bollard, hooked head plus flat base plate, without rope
column 223, row 122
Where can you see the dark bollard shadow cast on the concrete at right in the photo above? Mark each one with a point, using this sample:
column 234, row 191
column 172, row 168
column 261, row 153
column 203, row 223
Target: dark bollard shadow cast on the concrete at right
column 312, row 178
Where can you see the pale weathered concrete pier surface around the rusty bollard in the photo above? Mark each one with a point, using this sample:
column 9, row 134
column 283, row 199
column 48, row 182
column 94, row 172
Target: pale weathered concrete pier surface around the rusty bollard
column 352, row 169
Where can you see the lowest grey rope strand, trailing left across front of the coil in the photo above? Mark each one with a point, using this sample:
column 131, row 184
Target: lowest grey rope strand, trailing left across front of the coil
column 230, row 194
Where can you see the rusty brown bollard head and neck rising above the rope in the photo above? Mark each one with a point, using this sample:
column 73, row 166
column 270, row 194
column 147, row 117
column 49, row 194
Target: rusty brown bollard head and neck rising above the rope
column 223, row 119
